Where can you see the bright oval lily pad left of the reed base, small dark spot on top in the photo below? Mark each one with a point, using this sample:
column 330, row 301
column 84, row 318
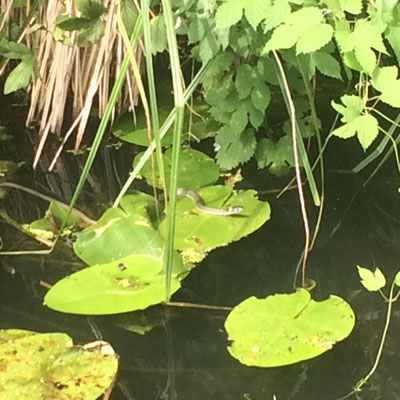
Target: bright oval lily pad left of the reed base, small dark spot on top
column 128, row 284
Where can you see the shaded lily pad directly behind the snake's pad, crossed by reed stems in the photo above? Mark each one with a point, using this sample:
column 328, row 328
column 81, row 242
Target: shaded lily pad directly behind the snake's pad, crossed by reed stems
column 196, row 169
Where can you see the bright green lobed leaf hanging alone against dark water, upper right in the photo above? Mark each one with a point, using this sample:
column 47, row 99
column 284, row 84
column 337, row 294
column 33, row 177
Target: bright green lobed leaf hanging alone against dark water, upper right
column 365, row 126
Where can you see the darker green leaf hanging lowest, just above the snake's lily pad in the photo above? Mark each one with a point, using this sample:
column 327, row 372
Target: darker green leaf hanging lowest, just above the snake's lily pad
column 234, row 148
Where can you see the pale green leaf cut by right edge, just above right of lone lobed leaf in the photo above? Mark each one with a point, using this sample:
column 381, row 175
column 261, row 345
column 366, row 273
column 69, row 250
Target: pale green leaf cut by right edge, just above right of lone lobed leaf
column 385, row 80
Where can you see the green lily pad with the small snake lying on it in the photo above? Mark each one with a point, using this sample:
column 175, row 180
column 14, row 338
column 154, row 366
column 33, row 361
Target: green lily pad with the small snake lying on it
column 199, row 231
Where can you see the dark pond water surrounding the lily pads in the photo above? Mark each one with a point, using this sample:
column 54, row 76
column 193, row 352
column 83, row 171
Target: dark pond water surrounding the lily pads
column 186, row 357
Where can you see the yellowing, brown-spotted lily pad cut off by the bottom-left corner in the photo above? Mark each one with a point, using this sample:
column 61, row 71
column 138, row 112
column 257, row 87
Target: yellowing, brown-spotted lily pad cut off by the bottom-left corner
column 49, row 366
